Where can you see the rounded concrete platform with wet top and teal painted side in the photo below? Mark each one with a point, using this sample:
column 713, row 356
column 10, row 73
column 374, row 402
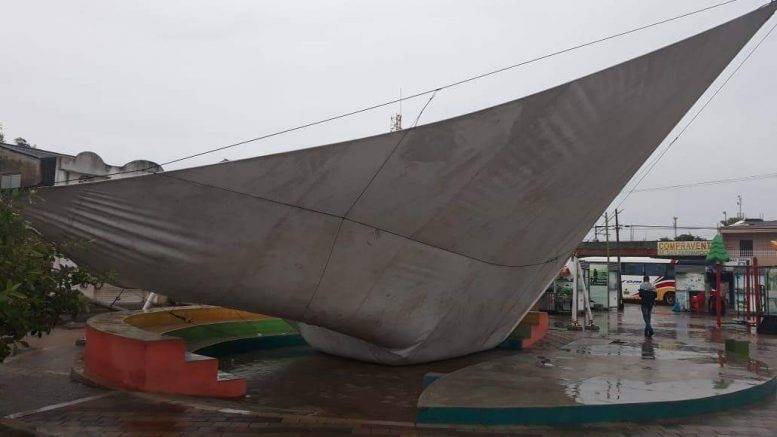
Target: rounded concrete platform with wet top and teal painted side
column 620, row 378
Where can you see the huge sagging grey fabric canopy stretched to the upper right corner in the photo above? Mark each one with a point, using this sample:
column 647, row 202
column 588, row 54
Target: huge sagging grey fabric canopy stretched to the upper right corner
column 407, row 247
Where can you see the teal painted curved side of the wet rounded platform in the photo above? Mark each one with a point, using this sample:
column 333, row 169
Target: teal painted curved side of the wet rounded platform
column 595, row 413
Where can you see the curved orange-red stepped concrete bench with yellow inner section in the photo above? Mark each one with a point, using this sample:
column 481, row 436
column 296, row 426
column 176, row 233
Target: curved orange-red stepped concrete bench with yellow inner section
column 152, row 350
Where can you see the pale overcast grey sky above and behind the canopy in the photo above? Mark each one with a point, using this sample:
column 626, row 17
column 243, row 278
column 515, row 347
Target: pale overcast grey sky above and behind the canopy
column 161, row 79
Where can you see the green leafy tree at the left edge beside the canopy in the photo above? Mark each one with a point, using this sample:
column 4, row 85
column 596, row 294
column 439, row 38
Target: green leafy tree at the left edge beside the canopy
column 33, row 293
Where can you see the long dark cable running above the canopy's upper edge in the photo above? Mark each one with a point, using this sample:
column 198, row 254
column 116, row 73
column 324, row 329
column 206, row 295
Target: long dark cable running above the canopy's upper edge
column 423, row 93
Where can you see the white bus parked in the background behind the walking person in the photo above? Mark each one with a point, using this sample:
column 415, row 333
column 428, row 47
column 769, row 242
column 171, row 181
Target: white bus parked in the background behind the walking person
column 660, row 271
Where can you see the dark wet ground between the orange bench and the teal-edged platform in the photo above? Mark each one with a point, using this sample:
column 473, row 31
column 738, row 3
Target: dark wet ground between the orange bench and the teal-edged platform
column 304, row 381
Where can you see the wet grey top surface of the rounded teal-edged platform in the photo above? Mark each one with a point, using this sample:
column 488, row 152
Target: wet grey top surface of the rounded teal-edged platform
column 597, row 371
